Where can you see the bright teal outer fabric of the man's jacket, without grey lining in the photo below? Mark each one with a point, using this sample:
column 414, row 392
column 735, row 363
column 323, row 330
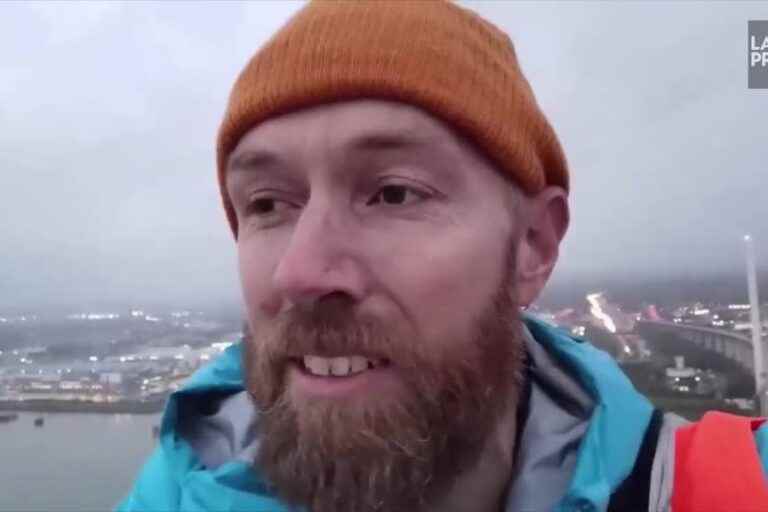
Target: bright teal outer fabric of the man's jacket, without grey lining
column 175, row 479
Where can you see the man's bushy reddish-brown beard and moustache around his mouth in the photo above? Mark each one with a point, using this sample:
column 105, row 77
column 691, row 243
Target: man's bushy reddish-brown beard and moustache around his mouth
column 390, row 455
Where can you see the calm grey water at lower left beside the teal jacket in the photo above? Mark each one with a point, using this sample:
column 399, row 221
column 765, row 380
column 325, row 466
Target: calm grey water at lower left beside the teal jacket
column 74, row 462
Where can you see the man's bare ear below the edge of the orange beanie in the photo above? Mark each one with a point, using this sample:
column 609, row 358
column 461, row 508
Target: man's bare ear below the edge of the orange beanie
column 544, row 223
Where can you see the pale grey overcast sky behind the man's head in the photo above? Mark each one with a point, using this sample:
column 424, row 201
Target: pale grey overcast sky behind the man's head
column 108, row 114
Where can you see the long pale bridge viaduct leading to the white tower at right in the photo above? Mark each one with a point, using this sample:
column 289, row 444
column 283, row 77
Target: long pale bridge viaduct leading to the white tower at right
column 730, row 345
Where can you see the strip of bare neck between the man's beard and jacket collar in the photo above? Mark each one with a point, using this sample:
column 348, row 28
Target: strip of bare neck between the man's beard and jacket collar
column 482, row 487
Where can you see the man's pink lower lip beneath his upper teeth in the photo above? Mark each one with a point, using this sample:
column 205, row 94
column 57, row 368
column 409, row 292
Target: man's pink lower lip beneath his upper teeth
column 360, row 383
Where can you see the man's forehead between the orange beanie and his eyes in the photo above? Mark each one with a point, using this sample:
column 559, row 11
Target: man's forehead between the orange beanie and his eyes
column 351, row 125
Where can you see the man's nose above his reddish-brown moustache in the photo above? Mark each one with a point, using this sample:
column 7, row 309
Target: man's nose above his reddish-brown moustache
column 321, row 260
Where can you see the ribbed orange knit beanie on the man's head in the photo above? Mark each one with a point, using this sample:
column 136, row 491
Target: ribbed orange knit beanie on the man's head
column 432, row 54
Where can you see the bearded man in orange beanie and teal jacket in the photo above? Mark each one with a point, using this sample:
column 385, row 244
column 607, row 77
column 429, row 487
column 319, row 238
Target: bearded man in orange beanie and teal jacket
column 397, row 198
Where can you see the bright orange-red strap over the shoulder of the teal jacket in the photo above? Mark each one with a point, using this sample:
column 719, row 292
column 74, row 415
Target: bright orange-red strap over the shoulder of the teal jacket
column 717, row 466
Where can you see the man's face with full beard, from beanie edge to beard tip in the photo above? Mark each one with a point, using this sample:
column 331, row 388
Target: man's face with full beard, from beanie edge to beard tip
column 376, row 252
